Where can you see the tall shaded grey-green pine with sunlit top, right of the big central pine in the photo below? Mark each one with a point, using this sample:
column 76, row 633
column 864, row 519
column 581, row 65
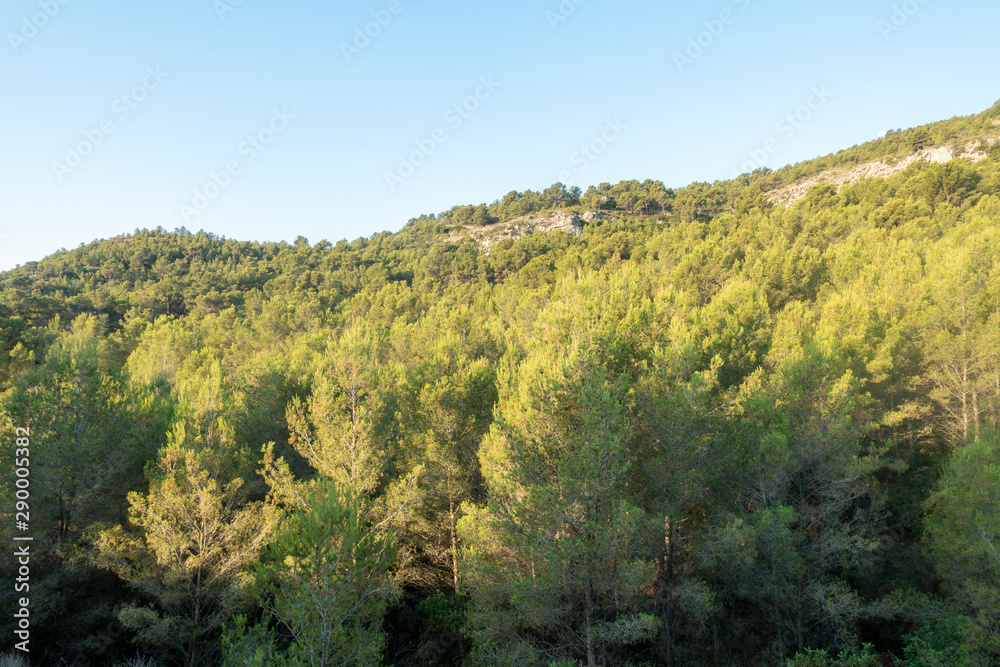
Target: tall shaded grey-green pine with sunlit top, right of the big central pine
column 808, row 484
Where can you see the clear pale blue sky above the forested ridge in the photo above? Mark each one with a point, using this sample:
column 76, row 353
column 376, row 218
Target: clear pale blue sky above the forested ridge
column 260, row 120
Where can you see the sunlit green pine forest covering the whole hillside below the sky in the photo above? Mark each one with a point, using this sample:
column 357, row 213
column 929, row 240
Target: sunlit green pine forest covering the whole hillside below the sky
column 712, row 430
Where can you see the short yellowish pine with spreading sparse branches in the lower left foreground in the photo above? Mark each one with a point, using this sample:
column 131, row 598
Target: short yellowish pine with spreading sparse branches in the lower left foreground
column 190, row 556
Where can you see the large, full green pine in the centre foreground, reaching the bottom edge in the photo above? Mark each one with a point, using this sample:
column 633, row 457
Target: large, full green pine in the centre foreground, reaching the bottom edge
column 552, row 560
